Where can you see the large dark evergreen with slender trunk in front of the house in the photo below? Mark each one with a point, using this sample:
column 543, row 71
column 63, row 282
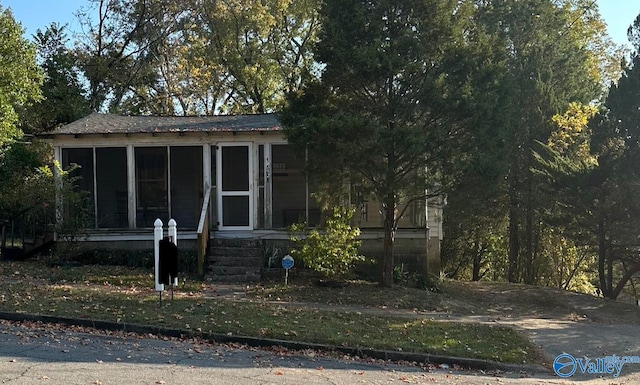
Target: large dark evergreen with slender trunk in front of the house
column 387, row 110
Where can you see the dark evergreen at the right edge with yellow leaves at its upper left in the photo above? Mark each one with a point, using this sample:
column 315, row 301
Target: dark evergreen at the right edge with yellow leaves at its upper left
column 597, row 192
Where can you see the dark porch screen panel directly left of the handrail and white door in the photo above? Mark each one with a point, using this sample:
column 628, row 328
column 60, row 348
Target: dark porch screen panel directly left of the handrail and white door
column 186, row 185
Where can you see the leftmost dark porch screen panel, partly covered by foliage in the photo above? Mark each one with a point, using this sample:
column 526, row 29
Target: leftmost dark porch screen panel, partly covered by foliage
column 82, row 210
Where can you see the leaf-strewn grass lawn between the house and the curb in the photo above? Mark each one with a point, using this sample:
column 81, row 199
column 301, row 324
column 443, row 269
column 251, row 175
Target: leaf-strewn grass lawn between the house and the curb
column 123, row 294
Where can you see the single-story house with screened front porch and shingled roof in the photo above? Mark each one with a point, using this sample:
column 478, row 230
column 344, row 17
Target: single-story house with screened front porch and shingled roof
column 222, row 178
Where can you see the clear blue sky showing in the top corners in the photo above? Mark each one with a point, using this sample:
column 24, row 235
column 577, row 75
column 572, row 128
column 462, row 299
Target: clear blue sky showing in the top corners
column 37, row 14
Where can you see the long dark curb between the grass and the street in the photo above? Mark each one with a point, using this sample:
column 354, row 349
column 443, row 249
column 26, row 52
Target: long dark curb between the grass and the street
column 390, row 355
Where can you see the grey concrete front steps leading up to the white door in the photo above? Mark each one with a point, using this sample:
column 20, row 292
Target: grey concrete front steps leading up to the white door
column 234, row 260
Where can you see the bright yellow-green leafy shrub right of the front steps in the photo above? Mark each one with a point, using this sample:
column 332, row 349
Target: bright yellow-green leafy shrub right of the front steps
column 332, row 251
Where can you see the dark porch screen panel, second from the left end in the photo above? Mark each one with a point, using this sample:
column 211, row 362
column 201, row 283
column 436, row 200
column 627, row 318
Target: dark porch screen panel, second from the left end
column 111, row 183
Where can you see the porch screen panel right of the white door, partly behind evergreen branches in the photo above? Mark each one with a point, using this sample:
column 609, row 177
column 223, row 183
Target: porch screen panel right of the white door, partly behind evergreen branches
column 289, row 186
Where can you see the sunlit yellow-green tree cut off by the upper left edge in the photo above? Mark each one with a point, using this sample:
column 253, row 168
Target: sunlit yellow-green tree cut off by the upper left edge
column 20, row 77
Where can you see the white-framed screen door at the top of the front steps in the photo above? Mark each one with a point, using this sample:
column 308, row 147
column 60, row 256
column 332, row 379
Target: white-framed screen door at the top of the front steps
column 235, row 198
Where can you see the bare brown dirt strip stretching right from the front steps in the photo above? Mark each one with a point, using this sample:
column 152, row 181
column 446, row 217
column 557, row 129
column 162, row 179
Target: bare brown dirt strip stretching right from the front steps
column 456, row 298
